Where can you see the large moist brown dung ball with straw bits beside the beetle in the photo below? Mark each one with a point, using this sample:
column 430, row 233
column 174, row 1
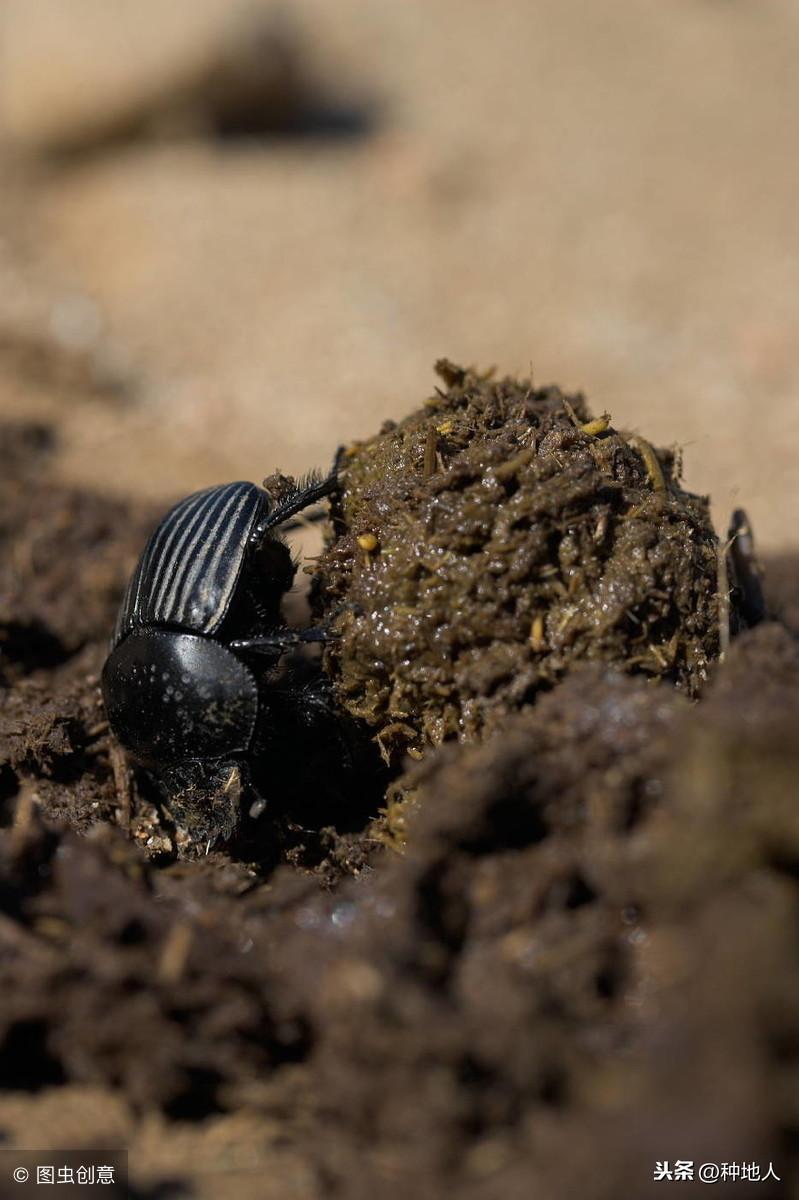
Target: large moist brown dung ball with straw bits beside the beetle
column 495, row 539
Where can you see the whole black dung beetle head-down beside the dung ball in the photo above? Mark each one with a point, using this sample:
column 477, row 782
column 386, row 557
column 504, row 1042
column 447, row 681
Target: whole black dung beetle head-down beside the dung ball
column 190, row 681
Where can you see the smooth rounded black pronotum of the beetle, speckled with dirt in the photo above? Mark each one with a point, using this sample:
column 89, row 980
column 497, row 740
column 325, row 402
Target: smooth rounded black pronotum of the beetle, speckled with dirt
column 170, row 695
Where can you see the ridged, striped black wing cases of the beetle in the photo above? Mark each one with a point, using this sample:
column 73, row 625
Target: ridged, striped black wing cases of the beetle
column 189, row 571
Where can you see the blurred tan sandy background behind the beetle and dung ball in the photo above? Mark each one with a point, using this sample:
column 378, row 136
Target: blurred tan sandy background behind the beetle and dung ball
column 604, row 194
